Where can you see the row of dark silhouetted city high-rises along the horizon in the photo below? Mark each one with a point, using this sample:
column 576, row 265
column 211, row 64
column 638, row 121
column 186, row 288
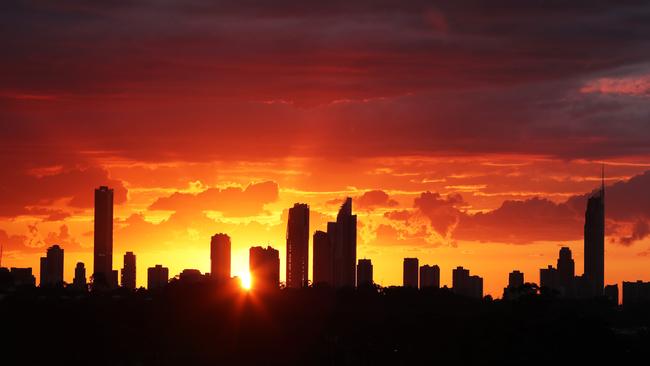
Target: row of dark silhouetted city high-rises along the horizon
column 334, row 250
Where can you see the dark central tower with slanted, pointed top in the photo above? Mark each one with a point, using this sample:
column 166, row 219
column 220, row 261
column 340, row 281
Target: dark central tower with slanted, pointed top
column 343, row 238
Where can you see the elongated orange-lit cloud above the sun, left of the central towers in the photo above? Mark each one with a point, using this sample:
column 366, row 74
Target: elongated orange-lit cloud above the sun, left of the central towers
column 230, row 201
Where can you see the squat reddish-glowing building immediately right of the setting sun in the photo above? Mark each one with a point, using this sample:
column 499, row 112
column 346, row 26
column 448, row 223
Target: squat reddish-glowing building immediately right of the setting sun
column 264, row 267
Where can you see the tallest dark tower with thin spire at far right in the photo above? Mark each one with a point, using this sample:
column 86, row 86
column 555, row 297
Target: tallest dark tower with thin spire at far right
column 594, row 241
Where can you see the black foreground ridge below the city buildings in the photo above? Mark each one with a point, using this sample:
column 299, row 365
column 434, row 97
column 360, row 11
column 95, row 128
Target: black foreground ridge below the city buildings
column 204, row 324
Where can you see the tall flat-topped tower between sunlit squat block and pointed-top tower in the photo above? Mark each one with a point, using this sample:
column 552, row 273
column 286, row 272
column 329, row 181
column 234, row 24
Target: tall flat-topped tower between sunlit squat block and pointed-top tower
column 298, row 246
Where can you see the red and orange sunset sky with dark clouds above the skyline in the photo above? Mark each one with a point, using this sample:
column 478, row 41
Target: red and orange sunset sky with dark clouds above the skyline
column 467, row 132
